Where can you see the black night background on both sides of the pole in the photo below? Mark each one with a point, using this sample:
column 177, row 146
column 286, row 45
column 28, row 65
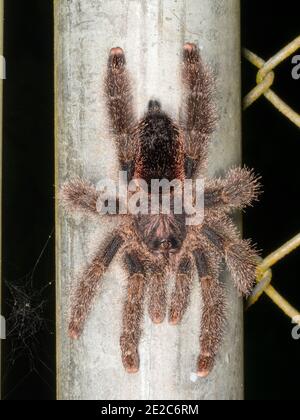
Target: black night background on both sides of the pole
column 271, row 145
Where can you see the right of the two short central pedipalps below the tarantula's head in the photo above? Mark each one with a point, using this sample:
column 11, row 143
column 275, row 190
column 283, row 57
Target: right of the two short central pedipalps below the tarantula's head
column 181, row 294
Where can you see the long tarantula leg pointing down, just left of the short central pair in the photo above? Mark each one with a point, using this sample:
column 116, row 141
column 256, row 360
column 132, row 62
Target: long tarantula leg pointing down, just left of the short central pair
column 133, row 313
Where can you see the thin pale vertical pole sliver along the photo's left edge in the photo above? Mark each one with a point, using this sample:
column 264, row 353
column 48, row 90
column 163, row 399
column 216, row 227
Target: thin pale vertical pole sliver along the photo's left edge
column 2, row 76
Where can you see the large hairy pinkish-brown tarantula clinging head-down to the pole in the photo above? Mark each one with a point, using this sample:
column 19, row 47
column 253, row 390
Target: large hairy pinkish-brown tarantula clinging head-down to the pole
column 153, row 246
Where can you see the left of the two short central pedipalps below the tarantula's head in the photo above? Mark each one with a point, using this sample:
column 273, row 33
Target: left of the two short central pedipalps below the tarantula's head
column 157, row 306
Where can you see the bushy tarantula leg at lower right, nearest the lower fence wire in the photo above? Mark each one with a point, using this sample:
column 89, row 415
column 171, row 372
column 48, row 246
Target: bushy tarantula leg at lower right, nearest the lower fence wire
column 241, row 258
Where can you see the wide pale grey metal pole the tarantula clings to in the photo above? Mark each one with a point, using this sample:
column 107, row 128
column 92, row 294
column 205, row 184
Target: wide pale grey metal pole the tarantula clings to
column 152, row 33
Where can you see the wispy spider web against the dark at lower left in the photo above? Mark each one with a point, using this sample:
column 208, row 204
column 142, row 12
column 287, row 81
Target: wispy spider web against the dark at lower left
column 25, row 322
